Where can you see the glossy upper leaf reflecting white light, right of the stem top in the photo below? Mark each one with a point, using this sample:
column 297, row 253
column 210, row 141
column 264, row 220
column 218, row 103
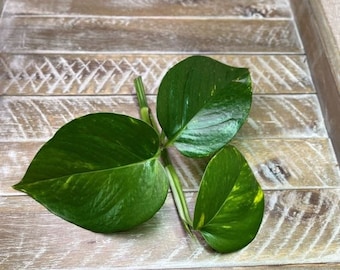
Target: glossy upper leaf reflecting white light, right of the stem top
column 202, row 103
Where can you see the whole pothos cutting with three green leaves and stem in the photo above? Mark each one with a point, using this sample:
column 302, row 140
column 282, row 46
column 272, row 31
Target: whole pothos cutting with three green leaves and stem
column 108, row 172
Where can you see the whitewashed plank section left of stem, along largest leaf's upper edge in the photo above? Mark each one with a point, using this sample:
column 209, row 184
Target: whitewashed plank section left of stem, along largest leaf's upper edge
column 37, row 118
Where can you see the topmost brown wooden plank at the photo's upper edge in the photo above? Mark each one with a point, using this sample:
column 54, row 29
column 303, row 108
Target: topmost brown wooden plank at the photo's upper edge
column 235, row 8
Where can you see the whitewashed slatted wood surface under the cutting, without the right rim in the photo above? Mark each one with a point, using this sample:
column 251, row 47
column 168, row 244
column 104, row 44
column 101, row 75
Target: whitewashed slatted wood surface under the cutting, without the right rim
column 63, row 59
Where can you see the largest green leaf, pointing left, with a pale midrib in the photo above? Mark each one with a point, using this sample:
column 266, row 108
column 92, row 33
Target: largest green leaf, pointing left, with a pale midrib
column 101, row 172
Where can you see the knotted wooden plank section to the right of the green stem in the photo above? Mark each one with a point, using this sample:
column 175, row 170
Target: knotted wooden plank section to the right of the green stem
column 276, row 163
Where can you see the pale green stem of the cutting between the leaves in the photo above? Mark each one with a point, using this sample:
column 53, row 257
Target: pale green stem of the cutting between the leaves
column 175, row 183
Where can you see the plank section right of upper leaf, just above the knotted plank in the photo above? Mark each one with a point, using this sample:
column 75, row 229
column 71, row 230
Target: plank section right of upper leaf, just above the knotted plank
column 284, row 116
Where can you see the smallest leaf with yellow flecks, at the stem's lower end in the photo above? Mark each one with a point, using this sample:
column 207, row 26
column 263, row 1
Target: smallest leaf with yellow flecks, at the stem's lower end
column 230, row 202
